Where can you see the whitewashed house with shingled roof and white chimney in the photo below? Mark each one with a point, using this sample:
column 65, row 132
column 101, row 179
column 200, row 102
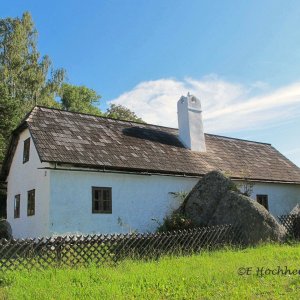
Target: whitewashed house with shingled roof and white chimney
column 77, row 173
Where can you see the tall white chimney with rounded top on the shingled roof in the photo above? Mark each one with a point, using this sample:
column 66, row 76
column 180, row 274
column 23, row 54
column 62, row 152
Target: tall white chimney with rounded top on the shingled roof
column 190, row 124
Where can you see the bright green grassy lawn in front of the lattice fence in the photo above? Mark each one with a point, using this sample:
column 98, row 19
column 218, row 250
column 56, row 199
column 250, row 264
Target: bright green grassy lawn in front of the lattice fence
column 210, row 275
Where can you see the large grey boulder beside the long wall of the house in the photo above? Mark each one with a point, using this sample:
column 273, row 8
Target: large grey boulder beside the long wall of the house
column 215, row 200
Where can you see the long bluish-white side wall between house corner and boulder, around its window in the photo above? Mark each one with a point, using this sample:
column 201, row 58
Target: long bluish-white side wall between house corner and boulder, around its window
column 136, row 200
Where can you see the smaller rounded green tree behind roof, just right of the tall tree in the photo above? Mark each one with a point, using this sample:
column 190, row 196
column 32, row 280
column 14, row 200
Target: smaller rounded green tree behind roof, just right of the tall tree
column 79, row 99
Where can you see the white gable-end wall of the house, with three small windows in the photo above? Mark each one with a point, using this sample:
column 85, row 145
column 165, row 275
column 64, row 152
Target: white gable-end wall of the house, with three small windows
column 21, row 179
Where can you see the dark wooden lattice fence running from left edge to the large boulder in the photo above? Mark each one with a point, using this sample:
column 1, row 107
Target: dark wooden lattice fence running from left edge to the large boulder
column 106, row 249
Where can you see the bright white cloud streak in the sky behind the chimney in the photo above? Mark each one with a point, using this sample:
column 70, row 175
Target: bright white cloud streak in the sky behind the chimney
column 226, row 106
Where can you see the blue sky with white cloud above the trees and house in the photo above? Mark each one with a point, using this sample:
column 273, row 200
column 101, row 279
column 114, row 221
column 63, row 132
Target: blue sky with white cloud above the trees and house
column 241, row 58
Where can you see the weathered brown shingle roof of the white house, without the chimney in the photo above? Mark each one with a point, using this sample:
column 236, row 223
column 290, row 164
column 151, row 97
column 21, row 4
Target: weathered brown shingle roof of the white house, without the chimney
column 91, row 141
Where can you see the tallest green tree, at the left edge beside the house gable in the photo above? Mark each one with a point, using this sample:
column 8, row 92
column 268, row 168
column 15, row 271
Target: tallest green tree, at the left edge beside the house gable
column 25, row 77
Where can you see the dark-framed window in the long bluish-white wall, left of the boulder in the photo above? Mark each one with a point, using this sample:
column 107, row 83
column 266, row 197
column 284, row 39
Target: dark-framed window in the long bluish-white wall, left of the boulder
column 101, row 200
